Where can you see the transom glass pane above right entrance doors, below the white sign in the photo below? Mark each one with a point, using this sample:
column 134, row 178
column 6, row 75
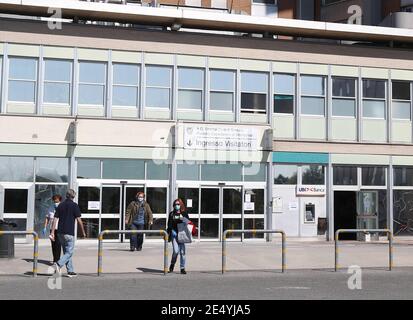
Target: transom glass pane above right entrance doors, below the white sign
column 221, row 172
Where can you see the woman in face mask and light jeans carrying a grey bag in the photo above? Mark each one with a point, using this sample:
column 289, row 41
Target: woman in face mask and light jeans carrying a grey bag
column 176, row 216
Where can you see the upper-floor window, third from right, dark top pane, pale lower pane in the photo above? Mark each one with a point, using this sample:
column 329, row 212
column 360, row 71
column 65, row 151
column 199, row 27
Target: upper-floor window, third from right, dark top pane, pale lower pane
column 344, row 97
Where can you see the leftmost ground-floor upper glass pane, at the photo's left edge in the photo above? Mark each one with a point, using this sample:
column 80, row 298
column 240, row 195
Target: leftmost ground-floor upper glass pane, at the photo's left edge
column 16, row 169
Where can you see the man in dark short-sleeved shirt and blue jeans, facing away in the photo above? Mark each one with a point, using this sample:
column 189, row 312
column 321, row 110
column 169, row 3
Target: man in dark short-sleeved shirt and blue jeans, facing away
column 66, row 214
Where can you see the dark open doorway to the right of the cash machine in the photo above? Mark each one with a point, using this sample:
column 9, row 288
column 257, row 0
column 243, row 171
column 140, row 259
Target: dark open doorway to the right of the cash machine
column 345, row 212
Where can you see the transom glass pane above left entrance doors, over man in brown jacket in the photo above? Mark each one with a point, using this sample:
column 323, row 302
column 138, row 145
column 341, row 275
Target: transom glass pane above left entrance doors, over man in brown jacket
column 123, row 169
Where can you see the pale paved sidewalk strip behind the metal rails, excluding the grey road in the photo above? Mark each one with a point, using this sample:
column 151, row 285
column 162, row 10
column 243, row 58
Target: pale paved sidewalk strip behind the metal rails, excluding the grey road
column 206, row 256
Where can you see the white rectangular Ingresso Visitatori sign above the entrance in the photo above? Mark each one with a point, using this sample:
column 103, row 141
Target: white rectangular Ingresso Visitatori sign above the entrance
column 220, row 138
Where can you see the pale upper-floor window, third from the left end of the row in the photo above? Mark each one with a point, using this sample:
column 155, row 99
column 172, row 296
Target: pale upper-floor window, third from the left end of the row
column 92, row 83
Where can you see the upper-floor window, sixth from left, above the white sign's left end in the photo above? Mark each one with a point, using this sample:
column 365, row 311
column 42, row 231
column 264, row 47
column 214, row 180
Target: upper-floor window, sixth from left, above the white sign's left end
column 190, row 88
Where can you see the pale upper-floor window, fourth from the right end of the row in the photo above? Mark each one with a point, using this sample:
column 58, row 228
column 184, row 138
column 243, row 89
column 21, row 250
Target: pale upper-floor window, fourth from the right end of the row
column 313, row 95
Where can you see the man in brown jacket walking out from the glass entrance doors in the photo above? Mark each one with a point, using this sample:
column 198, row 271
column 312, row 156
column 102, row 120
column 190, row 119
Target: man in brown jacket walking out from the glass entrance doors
column 138, row 217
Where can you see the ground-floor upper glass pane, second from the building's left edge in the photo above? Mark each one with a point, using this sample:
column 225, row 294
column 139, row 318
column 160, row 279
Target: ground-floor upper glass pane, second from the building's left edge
column 52, row 170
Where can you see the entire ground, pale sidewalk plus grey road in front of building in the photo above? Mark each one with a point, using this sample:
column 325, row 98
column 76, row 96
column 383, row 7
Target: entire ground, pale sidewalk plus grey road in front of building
column 254, row 272
